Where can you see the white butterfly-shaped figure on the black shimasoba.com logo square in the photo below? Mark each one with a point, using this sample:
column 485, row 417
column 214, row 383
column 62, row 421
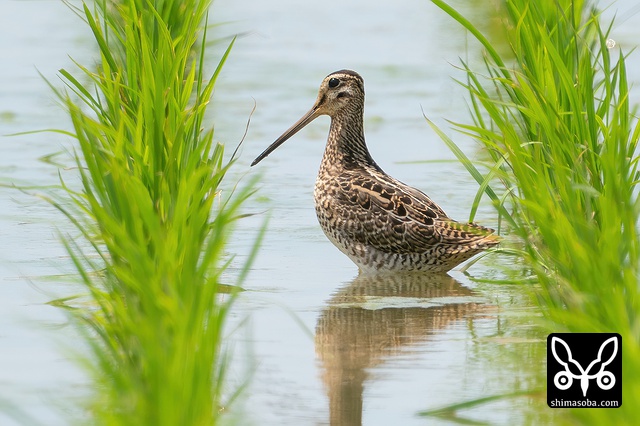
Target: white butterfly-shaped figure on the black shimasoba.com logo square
column 564, row 379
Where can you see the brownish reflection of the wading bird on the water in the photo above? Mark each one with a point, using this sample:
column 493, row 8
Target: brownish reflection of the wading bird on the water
column 375, row 317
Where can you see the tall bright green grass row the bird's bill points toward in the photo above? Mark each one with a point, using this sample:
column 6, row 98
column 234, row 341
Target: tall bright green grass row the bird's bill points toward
column 151, row 210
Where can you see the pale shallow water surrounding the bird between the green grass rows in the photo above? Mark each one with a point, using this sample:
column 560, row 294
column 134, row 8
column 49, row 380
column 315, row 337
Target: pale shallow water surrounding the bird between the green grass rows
column 319, row 345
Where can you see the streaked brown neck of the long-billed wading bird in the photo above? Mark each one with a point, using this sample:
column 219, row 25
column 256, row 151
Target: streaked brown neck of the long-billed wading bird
column 346, row 146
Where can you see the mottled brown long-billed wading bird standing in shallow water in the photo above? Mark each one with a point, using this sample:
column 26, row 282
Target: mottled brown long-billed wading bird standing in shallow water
column 379, row 222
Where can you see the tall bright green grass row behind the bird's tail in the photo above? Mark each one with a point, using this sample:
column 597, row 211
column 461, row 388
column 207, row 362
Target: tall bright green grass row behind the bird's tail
column 562, row 137
